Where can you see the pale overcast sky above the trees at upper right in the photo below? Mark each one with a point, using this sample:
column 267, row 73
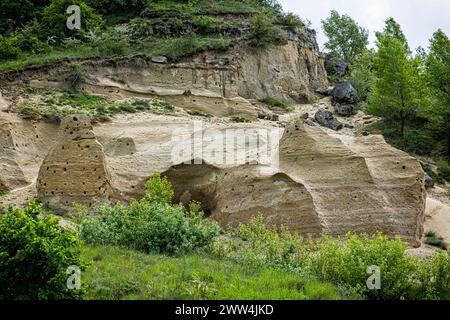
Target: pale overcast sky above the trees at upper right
column 419, row 19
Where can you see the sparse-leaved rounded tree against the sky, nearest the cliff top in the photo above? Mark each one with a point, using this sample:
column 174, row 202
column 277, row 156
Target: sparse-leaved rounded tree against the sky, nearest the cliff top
column 344, row 35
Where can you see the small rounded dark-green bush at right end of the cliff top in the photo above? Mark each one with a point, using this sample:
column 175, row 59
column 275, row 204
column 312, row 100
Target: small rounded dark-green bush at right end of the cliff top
column 262, row 32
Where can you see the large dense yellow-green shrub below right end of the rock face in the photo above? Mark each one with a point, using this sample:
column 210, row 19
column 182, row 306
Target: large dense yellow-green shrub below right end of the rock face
column 347, row 262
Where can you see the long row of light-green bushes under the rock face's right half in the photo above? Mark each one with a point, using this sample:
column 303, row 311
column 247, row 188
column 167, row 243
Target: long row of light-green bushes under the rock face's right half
column 343, row 262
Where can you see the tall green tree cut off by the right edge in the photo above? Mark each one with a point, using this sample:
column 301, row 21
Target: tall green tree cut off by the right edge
column 438, row 79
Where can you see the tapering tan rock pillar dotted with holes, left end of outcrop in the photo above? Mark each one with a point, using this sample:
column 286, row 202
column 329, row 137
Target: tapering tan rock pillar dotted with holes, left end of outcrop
column 74, row 170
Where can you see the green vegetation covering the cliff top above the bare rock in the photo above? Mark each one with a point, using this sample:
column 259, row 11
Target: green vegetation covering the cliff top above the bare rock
column 121, row 28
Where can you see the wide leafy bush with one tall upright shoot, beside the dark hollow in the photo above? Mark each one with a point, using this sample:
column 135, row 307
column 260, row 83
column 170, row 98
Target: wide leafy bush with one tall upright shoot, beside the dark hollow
column 152, row 224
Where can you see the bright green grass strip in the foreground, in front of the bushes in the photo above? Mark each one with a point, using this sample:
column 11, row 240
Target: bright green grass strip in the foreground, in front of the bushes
column 117, row 273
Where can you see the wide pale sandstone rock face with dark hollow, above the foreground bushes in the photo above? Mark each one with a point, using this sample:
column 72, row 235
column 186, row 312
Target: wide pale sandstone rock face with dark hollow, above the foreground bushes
column 325, row 182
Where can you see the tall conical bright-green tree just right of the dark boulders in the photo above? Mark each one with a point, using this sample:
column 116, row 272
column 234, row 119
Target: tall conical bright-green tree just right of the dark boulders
column 396, row 91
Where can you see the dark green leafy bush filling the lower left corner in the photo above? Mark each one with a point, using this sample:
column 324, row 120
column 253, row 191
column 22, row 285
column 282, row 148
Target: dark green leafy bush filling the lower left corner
column 35, row 252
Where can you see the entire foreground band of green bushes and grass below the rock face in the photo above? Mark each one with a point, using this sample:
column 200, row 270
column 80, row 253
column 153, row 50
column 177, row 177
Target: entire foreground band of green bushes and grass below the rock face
column 179, row 254
